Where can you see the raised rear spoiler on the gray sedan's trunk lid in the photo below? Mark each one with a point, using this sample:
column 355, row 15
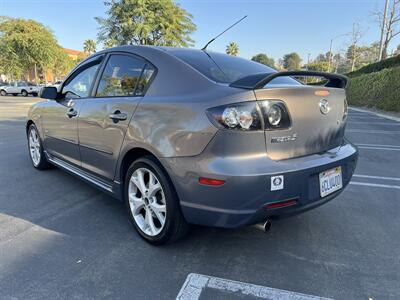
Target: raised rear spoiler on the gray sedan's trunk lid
column 258, row 81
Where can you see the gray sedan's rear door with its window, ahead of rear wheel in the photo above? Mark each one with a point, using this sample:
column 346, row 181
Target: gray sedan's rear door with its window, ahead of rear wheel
column 104, row 118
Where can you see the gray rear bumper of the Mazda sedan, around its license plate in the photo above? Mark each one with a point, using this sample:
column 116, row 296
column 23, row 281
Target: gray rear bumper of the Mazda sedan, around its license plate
column 247, row 190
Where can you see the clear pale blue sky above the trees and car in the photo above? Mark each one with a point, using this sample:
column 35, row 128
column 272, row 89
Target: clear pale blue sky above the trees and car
column 274, row 27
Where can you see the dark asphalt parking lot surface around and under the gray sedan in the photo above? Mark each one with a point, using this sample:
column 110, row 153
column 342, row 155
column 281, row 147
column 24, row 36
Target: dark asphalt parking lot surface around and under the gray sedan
column 62, row 239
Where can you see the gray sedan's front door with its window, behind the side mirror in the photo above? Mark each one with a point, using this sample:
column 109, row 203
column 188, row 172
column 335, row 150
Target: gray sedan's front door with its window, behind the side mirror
column 60, row 118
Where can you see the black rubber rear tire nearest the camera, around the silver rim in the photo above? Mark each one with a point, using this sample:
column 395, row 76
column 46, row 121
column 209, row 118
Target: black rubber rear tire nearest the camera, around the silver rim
column 175, row 225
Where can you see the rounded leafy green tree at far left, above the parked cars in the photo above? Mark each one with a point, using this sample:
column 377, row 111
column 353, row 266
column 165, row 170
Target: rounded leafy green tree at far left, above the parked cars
column 26, row 44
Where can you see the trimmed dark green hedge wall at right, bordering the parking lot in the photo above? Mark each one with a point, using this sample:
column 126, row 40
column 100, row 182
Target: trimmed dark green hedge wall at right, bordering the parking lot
column 379, row 89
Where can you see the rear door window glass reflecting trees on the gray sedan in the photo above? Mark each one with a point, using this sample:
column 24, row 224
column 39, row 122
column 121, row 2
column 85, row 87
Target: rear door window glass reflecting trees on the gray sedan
column 120, row 77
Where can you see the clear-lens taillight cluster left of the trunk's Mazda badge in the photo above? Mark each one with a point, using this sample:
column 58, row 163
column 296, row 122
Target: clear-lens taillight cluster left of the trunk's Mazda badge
column 252, row 115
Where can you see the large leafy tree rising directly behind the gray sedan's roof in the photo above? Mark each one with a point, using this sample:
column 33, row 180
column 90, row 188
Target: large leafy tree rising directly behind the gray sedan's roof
column 146, row 22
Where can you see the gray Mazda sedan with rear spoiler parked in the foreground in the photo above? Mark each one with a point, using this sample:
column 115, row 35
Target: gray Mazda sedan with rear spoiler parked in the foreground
column 186, row 136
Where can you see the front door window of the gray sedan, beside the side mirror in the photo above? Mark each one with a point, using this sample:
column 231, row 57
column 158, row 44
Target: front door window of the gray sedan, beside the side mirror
column 79, row 86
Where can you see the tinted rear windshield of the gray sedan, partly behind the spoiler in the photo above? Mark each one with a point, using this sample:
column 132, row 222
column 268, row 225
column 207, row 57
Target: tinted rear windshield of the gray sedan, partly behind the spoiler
column 225, row 68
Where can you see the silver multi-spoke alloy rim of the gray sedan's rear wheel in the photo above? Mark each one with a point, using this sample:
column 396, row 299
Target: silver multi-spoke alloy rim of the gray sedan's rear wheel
column 147, row 201
